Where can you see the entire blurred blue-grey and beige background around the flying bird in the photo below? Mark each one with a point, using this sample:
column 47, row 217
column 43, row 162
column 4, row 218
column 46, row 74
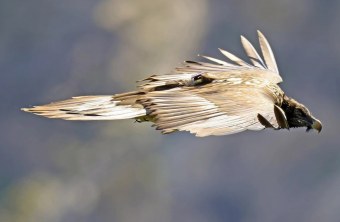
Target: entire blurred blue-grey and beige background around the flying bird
column 55, row 170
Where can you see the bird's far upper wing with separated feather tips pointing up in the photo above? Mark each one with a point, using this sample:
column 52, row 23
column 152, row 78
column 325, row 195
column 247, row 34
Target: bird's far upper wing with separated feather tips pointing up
column 262, row 69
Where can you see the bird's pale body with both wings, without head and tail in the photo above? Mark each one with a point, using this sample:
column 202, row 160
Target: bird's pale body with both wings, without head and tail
column 232, row 96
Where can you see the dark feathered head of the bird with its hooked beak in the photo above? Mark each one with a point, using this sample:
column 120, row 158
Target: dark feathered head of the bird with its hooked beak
column 299, row 116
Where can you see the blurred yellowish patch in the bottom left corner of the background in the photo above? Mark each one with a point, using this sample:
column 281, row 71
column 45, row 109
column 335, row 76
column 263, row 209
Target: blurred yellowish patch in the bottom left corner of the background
column 44, row 197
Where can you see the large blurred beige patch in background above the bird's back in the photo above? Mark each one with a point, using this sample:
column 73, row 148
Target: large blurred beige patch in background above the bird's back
column 154, row 36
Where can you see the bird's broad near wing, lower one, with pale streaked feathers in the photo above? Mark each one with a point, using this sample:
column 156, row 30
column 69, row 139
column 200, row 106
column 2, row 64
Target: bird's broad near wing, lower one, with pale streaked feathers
column 213, row 109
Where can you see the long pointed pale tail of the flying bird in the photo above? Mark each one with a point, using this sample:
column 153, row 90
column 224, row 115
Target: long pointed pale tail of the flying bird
column 88, row 108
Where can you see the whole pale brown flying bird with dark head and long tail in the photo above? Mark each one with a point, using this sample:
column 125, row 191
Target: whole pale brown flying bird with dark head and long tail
column 211, row 98
